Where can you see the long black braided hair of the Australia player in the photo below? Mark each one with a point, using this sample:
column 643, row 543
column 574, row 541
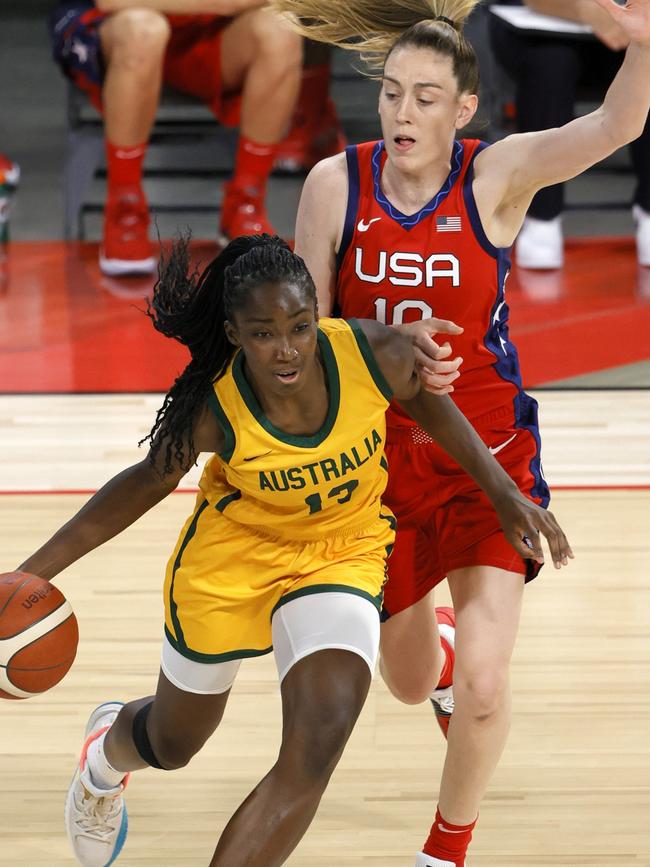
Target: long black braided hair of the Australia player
column 192, row 308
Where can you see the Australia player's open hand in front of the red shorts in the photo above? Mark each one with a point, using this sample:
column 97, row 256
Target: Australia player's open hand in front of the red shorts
column 523, row 521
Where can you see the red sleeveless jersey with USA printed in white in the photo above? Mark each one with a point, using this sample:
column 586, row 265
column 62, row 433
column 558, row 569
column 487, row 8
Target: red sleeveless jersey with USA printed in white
column 437, row 262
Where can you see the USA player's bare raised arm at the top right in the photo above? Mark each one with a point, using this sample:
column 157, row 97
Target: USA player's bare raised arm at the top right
column 511, row 171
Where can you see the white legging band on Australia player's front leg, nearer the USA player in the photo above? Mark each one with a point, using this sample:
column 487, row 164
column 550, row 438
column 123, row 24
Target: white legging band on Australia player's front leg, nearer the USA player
column 322, row 621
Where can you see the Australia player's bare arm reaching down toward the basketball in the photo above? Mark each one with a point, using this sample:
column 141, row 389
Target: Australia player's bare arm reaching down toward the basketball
column 118, row 504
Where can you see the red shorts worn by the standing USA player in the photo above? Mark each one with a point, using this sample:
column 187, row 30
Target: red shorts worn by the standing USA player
column 444, row 521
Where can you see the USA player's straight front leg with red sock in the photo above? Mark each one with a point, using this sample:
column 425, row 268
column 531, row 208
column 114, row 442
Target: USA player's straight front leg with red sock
column 487, row 603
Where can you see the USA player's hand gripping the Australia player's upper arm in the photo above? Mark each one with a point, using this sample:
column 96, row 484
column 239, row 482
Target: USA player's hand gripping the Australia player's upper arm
column 436, row 373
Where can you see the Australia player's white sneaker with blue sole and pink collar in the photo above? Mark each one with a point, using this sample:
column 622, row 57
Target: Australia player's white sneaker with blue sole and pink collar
column 95, row 819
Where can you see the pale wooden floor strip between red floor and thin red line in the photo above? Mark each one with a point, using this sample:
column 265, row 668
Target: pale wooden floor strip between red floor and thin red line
column 77, row 442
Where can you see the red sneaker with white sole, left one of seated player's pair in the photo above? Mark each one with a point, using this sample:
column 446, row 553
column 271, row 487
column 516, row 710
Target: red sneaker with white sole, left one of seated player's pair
column 126, row 247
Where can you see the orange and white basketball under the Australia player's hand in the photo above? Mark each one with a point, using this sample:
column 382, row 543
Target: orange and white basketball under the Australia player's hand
column 38, row 635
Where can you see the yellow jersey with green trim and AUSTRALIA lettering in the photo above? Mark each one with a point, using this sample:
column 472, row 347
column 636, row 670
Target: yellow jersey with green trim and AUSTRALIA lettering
column 304, row 487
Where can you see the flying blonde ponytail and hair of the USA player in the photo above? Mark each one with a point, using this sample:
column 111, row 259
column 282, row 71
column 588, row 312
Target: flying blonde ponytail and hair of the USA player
column 375, row 28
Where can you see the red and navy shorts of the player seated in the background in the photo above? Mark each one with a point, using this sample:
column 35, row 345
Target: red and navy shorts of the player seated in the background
column 192, row 61
